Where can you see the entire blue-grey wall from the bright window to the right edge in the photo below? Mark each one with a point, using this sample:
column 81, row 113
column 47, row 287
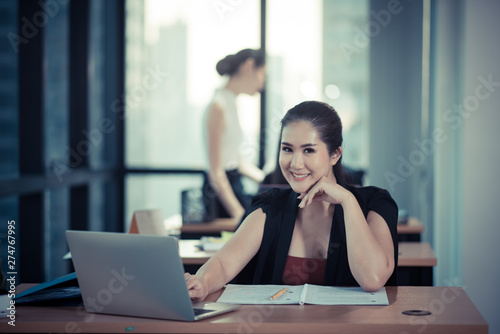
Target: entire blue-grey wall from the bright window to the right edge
column 463, row 224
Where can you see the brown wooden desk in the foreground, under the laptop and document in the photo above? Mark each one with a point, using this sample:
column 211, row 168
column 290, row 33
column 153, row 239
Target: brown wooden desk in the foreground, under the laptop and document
column 452, row 312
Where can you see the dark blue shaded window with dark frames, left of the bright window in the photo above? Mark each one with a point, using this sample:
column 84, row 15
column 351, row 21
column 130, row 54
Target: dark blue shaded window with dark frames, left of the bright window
column 62, row 67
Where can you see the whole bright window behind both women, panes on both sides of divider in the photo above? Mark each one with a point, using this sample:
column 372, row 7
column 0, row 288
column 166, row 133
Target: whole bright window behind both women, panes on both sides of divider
column 172, row 48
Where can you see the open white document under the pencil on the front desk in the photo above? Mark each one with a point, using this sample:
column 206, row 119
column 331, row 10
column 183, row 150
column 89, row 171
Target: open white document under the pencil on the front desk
column 301, row 294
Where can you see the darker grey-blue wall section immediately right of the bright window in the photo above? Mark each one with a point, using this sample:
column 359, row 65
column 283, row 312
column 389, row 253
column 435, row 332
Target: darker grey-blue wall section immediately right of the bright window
column 395, row 124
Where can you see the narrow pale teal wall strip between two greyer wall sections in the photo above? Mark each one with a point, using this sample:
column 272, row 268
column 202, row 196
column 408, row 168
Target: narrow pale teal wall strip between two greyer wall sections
column 446, row 92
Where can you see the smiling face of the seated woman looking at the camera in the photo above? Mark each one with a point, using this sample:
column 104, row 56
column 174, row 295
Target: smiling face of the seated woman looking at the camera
column 303, row 157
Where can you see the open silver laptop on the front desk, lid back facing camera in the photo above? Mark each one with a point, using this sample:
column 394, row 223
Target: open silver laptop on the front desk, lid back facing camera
column 135, row 275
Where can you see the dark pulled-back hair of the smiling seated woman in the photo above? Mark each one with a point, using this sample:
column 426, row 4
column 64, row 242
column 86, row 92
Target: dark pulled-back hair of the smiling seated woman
column 326, row 122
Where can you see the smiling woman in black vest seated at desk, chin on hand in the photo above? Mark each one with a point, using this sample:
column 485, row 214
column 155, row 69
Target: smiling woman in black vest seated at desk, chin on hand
column 337, row 235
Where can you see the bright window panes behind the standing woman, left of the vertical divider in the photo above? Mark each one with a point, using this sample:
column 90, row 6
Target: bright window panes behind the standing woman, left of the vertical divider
column 172, row 49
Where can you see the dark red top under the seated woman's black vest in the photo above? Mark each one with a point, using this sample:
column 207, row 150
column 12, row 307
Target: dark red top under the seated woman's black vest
column 302, row 270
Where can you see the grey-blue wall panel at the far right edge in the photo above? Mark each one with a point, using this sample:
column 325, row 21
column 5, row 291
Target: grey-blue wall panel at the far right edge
column 481, row 157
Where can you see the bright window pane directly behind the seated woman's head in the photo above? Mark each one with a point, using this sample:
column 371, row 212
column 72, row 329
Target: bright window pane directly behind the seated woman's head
column 306, row 61
